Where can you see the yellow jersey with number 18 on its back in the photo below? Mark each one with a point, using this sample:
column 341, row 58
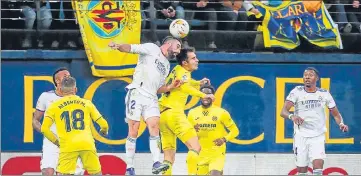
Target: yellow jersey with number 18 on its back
column 72, row 116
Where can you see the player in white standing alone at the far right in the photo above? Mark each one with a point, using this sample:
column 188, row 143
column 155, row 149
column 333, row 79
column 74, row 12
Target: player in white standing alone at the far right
column 310, row 121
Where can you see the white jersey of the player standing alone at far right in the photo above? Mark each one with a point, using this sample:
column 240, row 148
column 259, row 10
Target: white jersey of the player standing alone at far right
column 310, row 106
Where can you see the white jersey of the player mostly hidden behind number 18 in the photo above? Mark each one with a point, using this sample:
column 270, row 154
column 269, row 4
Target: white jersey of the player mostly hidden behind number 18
column 44, row 101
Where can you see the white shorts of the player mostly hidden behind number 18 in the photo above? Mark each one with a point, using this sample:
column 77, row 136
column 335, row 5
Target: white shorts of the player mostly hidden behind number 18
column 50, row 156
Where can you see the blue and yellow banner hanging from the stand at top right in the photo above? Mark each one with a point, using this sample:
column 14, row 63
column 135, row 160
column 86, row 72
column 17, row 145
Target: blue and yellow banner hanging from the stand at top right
column 281, row 25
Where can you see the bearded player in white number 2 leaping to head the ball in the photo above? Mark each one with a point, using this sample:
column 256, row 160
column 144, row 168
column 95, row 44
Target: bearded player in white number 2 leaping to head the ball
column 141, row 100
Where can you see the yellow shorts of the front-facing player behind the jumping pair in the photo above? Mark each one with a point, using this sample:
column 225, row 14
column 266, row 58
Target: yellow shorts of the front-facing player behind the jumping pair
column 210, row 160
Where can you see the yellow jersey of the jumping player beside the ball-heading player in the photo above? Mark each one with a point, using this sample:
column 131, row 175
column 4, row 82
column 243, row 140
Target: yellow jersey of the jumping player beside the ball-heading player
column 177, row 98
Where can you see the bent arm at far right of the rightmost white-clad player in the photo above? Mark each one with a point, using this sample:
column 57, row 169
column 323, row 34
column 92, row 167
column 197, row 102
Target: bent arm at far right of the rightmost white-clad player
column 331, row 105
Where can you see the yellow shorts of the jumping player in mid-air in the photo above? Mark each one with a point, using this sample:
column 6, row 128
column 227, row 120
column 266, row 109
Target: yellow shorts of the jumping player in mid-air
column 174, row 124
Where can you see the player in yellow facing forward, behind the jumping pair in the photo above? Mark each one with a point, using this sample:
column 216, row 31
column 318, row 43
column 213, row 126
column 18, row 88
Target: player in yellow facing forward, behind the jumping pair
column 211, row 122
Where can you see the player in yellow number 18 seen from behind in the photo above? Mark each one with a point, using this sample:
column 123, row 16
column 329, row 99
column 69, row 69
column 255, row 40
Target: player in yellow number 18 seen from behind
column 73, row 116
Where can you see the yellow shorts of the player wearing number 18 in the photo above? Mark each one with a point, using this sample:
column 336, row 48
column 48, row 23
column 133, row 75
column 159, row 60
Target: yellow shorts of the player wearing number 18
column 68, row 160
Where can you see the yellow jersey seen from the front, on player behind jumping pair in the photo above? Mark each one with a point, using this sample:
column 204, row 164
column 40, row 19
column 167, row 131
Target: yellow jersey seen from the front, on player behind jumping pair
column 213, row 122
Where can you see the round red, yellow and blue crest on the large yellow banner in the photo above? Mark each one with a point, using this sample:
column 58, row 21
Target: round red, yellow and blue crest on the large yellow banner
column 108, row 18
